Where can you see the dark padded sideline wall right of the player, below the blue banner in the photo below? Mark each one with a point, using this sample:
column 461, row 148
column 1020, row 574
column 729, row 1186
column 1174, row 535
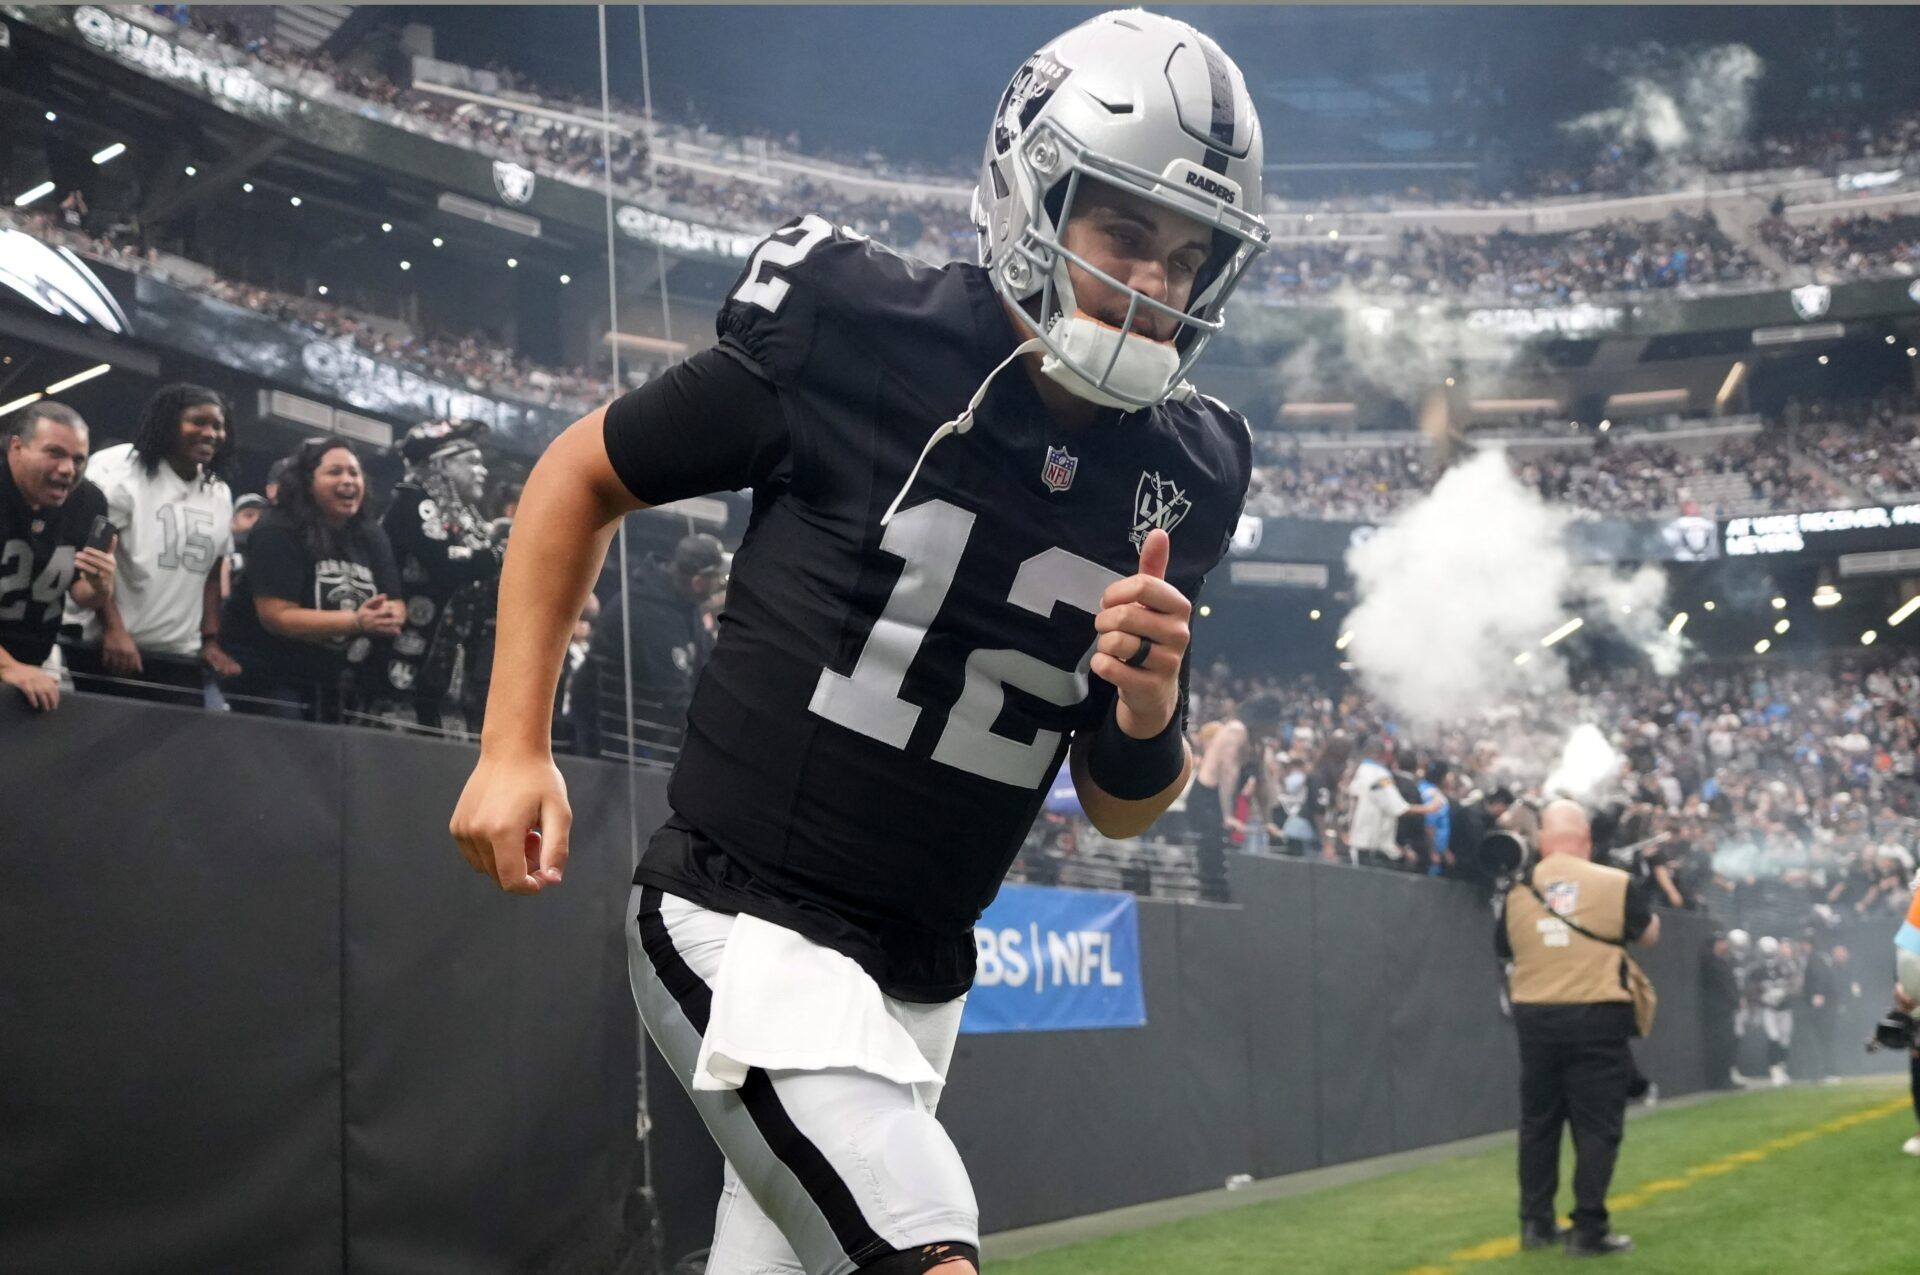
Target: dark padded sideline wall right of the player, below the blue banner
column 1339, row 1015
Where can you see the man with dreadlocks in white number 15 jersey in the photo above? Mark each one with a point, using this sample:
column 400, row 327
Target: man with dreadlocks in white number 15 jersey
column 170, row 500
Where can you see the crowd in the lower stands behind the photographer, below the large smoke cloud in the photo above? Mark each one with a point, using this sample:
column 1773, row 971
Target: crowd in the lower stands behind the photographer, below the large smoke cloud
column 1775, row 798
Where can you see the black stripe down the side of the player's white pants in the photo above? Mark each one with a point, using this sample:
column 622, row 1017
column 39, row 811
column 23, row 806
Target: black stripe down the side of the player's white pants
column 757, row 1095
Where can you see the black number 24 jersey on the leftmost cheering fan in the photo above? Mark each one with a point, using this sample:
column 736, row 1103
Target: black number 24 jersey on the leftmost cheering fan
column 37, row 550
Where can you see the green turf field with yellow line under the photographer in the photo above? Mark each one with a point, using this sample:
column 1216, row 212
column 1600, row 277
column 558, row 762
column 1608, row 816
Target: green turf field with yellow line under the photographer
column 1802, row 1182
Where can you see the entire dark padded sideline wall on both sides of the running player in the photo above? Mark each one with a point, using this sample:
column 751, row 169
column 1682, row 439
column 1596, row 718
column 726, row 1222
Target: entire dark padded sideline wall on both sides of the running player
column 256, row 1015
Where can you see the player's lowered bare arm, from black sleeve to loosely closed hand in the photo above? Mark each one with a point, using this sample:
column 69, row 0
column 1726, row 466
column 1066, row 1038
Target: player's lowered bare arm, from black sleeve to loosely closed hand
column 569, row 514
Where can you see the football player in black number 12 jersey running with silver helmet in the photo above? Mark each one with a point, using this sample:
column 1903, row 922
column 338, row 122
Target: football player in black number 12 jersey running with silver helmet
column 951, row 579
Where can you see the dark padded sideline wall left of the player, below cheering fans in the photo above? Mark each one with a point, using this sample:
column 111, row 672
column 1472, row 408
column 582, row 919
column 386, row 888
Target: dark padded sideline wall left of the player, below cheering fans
column 260, row 1017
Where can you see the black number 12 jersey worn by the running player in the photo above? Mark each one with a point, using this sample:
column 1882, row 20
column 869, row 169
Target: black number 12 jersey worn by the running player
column 886, row 708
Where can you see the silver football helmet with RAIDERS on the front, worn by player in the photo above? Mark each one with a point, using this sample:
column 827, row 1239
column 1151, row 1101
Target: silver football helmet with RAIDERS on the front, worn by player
column 1151, row 107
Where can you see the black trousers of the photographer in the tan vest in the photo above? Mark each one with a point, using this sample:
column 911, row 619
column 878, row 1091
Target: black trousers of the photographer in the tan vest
column 1579, row 1084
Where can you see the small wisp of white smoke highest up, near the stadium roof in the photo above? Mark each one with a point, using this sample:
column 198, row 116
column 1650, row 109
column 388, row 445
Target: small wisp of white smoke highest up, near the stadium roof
column 1691, row 108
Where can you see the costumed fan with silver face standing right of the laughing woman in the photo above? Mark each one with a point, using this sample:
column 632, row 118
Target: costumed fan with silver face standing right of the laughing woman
column 450, row 569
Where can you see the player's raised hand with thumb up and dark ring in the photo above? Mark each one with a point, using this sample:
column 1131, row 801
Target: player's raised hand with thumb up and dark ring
column 1143, row 640
